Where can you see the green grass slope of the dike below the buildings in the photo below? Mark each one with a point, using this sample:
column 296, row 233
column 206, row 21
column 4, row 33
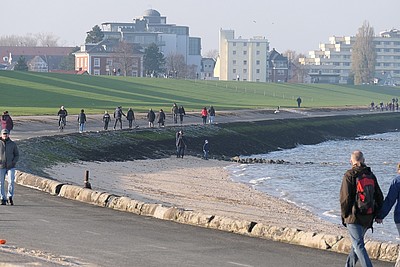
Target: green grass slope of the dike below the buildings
column 29, row 93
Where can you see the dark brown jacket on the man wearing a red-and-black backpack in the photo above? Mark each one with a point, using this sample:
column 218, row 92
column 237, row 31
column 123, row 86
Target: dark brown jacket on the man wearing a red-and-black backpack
column 348, row 197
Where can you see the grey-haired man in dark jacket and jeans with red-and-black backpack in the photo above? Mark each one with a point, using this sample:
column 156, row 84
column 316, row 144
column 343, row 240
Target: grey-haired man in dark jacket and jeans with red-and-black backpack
column 360, row 201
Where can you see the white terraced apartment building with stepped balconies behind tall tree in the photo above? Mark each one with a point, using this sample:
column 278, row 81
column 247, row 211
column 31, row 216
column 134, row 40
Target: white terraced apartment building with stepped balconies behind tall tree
column 332, row 62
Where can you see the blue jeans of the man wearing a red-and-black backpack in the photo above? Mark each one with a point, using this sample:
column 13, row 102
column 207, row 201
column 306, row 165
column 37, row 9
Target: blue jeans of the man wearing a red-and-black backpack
column 358, row 251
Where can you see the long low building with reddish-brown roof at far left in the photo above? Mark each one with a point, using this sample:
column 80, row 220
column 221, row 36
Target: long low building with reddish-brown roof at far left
column 38, row 59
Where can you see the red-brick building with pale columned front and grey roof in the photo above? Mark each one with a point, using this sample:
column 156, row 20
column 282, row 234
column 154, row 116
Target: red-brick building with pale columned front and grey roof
column 110, row 57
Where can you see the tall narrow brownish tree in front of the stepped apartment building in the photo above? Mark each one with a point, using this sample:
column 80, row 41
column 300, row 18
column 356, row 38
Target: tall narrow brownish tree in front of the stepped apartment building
column 363, row 55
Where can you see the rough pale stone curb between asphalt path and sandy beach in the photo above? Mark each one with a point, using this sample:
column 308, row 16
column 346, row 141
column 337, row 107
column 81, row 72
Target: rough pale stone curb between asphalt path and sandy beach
column 376, row 250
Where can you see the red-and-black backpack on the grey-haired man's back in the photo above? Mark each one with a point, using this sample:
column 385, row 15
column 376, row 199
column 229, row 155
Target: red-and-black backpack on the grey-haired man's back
column 365, row 192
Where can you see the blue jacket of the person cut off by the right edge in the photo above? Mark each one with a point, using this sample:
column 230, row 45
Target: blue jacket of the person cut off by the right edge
column 392, row 197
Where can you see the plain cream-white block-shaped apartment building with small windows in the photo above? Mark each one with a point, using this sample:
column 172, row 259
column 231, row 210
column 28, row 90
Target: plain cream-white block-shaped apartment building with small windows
column 242, row 59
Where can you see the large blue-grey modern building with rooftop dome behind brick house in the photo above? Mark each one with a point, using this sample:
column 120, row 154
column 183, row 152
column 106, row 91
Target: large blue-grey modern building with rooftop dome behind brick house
column 151, row 28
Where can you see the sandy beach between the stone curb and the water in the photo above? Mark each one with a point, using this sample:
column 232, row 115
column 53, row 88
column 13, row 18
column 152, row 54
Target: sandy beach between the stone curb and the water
column 192, row 184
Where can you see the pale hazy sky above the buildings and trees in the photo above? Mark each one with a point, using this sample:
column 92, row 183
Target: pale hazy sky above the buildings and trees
column 298, row 25
